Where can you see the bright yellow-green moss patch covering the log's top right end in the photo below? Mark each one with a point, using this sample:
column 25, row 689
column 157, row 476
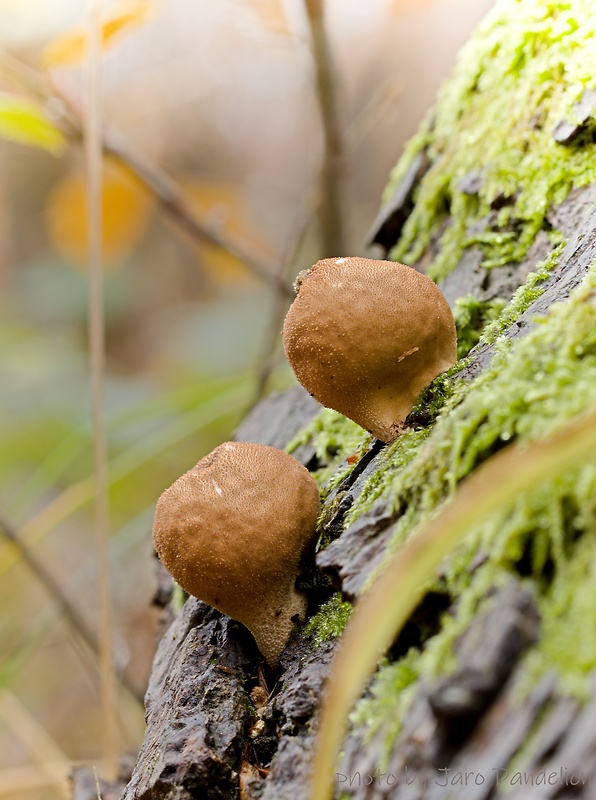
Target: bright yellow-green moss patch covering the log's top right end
column 522, row 72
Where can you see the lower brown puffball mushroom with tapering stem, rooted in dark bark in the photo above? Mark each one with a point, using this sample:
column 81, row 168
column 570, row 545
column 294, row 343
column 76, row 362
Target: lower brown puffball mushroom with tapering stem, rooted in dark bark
column 235, row 530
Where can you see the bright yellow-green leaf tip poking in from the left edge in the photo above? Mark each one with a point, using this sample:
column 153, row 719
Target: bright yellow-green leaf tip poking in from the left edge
column 24, row 122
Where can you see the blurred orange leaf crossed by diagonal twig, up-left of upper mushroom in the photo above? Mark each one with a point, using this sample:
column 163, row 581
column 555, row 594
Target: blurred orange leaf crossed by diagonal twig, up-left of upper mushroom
column 220, row 206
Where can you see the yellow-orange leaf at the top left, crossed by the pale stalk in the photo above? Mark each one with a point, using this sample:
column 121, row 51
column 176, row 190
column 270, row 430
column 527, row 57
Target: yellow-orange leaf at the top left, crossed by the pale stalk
column 72, row 46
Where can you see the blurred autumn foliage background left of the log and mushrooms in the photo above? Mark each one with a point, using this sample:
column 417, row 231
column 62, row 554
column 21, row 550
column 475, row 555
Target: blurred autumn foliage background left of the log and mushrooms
column 221, row 98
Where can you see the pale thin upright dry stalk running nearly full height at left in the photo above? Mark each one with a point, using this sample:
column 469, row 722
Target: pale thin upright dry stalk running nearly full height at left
column 97, row 346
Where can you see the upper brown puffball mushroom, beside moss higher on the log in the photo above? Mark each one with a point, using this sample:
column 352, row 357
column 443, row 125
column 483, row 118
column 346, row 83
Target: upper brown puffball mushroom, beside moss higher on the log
column 366, row 337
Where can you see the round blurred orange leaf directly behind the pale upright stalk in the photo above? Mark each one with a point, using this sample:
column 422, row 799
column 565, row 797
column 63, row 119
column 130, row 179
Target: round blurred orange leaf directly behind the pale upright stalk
column 127, row 206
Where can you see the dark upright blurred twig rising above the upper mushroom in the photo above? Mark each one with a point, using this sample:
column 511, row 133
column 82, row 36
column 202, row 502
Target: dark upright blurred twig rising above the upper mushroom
column 330, row 209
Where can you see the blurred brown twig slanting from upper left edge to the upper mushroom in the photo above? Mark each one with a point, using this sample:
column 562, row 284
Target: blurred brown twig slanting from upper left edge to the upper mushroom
column 66, row 110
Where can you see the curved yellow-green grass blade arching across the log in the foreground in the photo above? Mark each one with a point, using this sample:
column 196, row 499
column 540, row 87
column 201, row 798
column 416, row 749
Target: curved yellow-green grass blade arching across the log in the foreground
column 383, row 611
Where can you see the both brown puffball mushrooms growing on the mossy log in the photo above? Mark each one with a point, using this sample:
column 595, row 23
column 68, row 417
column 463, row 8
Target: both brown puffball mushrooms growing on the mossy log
column 364, row 338
